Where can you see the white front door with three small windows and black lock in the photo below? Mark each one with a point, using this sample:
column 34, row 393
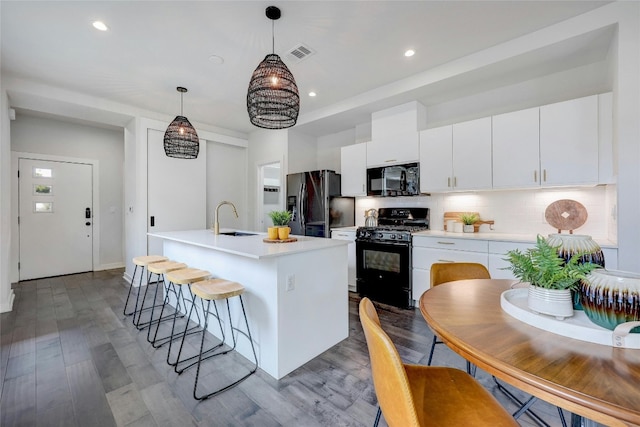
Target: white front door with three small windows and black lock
column 56, row 218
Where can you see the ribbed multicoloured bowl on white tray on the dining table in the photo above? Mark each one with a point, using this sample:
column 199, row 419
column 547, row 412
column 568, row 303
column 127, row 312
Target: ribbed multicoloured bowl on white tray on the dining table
column 611, row 297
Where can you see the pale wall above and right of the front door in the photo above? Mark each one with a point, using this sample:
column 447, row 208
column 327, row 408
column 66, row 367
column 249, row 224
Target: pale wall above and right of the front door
column 49, row 136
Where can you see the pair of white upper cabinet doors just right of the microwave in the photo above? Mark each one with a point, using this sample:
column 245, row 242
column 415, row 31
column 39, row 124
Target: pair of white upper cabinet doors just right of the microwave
column 457, row 157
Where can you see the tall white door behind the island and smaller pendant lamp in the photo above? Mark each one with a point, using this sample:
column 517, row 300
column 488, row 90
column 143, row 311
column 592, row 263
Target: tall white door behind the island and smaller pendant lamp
column 176, row 191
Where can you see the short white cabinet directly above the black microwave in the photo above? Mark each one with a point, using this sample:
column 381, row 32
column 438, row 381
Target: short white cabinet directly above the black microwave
column 392, row 149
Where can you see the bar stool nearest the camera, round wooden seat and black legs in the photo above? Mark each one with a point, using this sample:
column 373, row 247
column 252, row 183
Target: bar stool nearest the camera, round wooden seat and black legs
column 213, row 290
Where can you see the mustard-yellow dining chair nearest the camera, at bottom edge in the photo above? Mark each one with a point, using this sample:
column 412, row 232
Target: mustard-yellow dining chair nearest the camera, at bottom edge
column 414, row 395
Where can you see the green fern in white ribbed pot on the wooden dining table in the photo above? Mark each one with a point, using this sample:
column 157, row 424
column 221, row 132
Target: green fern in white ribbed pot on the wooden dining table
column 550, row 278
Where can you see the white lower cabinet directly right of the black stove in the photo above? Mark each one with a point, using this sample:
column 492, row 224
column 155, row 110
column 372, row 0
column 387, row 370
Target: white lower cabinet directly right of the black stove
column 428, row 250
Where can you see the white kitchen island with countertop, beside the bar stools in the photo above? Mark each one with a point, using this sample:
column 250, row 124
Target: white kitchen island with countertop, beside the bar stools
column 296, row 294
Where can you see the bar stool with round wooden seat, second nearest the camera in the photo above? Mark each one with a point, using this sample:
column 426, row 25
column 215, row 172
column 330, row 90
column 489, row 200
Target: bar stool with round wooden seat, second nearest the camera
column 184, row 277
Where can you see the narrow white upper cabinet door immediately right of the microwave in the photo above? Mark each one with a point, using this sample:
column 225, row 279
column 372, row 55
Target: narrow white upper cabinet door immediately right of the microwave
column 436, row 159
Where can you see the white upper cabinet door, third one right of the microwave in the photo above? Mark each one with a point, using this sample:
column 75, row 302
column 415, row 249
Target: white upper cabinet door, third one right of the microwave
column 516, row 149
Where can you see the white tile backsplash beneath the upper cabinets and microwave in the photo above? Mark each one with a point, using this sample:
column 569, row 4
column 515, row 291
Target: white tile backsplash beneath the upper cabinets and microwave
column 515, row 211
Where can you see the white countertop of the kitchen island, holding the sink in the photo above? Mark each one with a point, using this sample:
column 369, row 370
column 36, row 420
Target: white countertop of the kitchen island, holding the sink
column 248, row 246
